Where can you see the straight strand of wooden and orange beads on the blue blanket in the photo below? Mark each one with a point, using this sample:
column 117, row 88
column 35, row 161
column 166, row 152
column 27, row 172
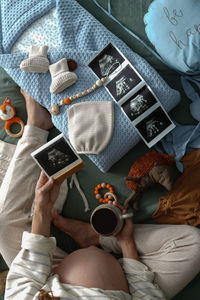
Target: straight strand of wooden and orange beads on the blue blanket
column 56, row 107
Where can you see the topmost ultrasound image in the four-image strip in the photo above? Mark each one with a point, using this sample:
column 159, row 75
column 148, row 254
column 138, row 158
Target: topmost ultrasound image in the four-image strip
column 106, row 62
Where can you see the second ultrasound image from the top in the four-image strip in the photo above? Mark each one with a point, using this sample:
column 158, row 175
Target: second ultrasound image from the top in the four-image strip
column 126, row 80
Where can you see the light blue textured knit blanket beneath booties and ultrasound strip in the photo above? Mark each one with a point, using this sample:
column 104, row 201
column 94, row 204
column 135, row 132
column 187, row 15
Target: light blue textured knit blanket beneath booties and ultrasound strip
column 82, row 37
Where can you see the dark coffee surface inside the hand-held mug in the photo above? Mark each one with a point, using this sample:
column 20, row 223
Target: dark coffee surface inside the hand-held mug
column 104, row 221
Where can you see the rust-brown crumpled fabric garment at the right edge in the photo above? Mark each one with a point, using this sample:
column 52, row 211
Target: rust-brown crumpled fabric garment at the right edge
column 181, row 205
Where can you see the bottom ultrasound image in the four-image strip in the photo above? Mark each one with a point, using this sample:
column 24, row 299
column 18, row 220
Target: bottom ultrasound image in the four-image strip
column 153, row 125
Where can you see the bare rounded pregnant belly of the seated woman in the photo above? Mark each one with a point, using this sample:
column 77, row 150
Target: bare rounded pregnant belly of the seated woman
column 92, row 267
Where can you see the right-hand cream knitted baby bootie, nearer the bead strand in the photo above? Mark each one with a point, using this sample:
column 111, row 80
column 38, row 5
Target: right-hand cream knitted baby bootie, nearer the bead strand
column 61, row 76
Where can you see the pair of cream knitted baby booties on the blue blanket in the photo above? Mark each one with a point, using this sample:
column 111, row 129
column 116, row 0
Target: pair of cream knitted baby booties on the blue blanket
column 38, row 62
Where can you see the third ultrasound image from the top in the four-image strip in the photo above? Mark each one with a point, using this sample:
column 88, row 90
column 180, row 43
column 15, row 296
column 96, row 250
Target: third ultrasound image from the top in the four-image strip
column 139, row 103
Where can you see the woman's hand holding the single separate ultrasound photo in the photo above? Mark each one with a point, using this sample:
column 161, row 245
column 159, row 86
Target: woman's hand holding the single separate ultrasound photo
column 46, row 193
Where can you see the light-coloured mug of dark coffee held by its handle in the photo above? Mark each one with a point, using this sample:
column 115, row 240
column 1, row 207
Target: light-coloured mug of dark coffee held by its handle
column 107, row 219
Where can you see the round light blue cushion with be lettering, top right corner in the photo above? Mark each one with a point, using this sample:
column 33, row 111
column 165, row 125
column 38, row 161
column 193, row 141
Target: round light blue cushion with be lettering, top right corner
column 173, row 27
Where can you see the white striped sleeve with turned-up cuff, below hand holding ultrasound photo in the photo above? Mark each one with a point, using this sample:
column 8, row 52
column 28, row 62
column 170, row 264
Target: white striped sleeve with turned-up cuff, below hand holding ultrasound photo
column 31, row 267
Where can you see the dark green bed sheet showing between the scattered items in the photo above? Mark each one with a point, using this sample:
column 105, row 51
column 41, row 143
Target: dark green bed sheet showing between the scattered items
column 90, row 176
